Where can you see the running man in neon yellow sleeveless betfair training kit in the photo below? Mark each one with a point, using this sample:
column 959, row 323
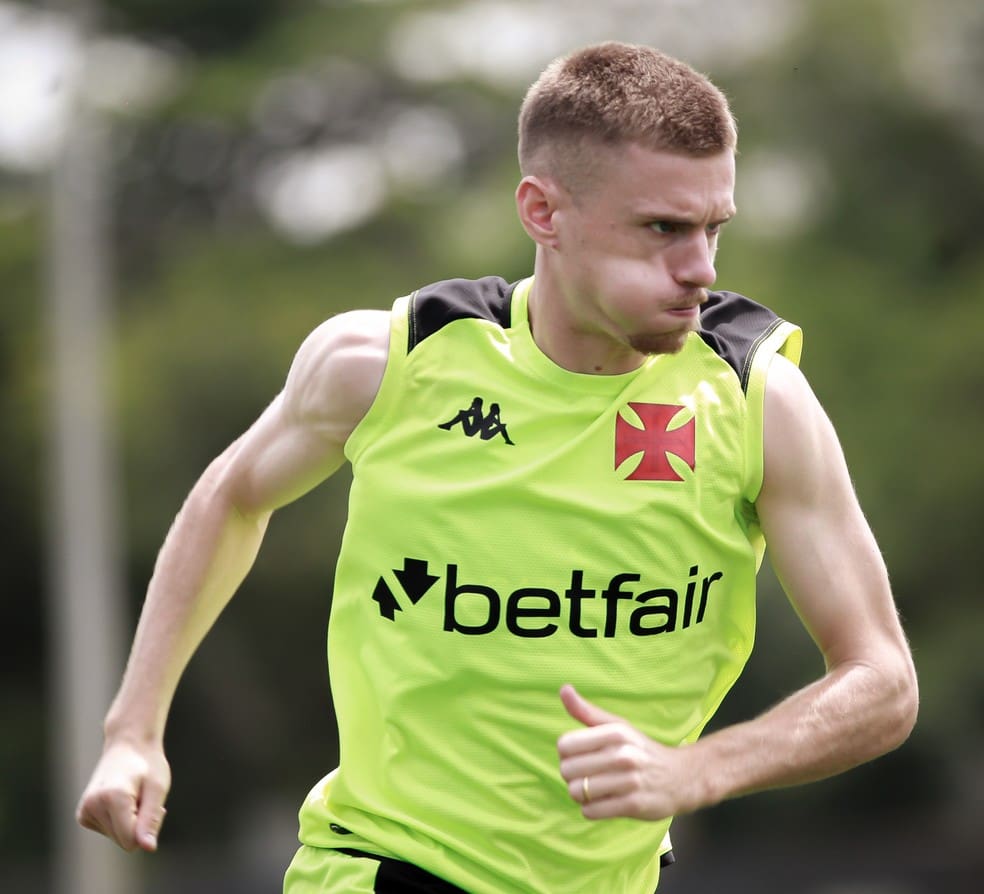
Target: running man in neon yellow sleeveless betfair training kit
column 562, row 481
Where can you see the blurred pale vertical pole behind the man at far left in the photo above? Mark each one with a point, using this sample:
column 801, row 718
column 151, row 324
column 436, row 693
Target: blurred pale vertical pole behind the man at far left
column 86, row 600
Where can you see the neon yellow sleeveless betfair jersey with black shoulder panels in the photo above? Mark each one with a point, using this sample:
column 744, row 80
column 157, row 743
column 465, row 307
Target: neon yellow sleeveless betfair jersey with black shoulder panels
column 512, row 527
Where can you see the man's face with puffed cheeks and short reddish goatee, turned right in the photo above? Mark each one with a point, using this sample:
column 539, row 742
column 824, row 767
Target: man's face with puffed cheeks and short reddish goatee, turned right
column 635, row 248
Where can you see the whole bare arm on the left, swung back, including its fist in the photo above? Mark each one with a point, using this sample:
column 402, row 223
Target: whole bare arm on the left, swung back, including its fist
column 296, row 443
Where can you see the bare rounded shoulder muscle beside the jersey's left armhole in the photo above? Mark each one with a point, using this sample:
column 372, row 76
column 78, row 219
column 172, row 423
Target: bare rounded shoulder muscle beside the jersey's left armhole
column 337, row 372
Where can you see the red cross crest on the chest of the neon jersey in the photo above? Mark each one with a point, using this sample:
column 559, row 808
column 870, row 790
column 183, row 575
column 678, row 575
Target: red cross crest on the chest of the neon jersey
column 655, row 440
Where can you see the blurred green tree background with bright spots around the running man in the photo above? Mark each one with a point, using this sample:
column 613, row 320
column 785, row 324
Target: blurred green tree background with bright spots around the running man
column 272, row 162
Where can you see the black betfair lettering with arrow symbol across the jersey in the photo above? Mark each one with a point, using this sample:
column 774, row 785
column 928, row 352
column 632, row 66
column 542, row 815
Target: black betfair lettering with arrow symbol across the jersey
column 623, row 605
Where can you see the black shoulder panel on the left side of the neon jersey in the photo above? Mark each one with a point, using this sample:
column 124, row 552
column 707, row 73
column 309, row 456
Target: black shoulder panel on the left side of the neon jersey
column 434, row 306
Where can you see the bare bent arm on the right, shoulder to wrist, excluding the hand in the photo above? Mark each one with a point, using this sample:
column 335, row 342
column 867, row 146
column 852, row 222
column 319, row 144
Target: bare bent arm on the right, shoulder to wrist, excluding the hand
column 832, row 571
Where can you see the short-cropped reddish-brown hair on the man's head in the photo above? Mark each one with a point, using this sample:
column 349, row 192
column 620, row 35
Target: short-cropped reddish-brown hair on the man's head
column 615, row 93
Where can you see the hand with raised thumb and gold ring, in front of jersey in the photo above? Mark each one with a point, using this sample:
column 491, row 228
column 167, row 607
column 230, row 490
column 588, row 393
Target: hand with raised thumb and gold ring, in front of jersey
column 628, row 773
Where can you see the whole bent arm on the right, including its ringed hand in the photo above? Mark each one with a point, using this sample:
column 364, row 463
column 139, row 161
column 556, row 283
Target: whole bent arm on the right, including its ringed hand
column 826, row 558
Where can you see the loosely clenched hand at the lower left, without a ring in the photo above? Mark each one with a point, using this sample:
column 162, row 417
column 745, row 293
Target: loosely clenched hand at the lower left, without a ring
column 125, row 797
